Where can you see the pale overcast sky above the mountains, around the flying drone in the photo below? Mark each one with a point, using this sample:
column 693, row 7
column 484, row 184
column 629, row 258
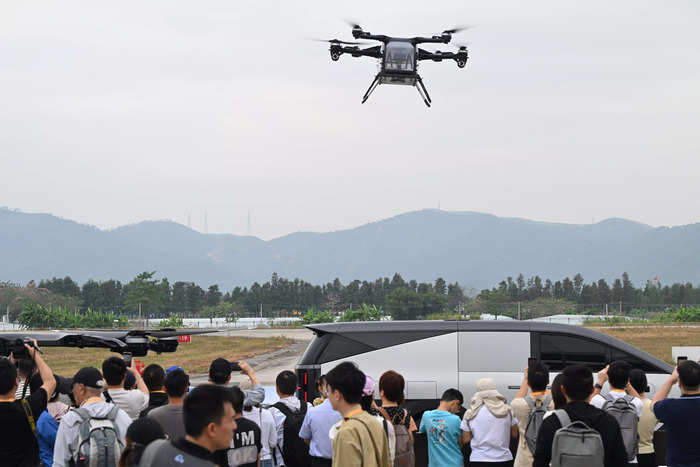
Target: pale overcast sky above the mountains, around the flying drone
column 117, row 112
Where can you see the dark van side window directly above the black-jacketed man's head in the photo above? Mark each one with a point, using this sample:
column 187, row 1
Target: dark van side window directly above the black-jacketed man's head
column 560, row 350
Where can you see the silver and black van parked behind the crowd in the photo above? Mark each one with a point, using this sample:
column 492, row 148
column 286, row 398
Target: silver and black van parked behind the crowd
column 436, row 355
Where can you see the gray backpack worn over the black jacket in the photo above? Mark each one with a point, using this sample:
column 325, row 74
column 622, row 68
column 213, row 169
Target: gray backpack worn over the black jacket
column 576, row 444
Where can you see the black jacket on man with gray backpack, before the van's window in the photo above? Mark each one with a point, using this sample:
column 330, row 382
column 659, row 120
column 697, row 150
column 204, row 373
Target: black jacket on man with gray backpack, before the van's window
column 602, row 422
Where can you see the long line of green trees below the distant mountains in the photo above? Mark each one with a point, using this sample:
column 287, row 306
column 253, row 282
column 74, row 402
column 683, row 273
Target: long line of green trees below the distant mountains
column 396, row 296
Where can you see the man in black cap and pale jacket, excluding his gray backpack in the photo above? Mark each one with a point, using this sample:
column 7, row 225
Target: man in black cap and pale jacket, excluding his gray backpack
column 88, row 385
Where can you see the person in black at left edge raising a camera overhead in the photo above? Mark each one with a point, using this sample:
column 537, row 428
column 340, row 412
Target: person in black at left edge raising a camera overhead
column 18, row 444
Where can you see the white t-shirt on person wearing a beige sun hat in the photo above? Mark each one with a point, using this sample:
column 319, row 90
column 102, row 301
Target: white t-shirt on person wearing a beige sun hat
column 490, row 436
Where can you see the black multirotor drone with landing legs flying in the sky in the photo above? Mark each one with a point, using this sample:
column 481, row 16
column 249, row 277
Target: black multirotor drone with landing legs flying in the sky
column 399, row 57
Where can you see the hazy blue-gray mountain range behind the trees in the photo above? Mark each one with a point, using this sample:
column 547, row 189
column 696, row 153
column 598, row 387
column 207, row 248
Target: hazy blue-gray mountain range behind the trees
column 478, row 250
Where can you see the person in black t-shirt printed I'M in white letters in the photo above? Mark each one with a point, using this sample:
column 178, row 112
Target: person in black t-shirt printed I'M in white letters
column 247, row 438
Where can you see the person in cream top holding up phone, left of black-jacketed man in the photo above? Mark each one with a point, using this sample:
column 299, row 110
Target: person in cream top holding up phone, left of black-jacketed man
column 536, row 380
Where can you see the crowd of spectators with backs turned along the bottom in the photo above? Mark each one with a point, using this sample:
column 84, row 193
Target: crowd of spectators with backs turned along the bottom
column 118, row 416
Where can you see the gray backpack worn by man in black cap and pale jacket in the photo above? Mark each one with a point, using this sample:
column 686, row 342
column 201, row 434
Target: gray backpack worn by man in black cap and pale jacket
column 99, row 444
